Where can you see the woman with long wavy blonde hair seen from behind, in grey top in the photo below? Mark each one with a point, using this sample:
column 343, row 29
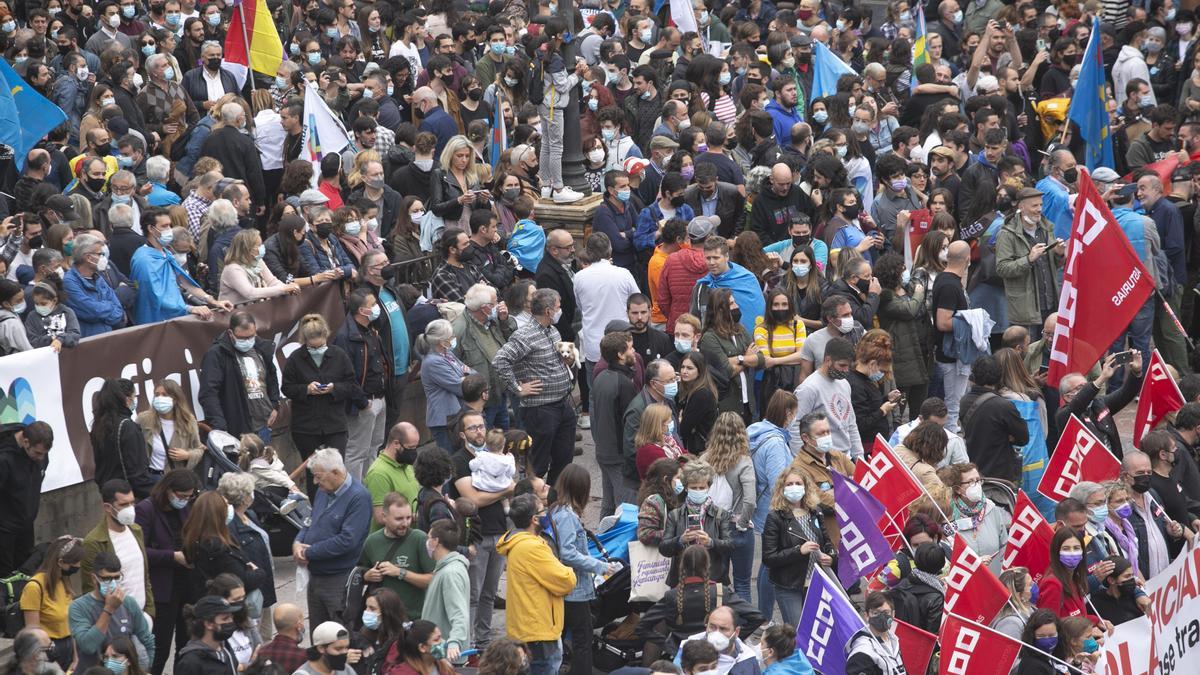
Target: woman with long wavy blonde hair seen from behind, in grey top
column 734, row 491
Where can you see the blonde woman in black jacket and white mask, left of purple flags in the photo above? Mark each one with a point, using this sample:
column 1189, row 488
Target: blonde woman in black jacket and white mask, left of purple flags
column 793, row 540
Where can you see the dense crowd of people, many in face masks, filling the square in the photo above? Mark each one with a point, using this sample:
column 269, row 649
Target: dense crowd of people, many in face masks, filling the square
column 770, row 282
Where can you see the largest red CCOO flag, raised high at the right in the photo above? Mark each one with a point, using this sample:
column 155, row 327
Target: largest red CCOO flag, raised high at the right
column 1103, row 286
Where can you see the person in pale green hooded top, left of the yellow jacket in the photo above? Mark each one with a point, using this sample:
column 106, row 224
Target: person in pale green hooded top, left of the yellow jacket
column 448, row 599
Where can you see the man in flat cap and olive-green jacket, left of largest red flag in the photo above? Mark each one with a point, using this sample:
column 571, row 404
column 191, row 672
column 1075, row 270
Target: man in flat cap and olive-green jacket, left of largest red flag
column 1029, row 259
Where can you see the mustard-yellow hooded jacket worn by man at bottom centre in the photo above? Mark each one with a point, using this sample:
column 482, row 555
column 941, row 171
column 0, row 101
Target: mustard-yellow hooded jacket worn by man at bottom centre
column 537, row 584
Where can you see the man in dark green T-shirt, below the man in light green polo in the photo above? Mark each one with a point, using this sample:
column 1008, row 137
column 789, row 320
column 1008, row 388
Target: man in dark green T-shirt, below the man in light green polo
column 397, row 555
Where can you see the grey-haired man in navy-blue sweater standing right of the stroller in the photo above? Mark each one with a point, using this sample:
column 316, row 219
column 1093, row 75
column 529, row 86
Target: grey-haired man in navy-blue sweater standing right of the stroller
column 329, row 548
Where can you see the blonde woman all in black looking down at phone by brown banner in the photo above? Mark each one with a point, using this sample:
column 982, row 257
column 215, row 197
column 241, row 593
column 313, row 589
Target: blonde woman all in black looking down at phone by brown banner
column 319, row 380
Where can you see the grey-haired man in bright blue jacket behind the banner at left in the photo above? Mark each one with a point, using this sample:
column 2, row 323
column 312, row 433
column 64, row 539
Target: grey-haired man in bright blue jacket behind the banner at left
column 94, row 302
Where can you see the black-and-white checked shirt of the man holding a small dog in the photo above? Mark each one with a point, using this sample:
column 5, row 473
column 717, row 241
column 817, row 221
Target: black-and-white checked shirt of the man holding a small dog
column 532, row 354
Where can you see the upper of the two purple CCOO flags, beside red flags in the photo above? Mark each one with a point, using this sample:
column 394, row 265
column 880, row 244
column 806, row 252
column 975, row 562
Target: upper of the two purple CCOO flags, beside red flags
column 863, row 549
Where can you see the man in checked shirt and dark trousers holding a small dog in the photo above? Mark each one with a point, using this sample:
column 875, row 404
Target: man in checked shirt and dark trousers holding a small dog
column 531, row 367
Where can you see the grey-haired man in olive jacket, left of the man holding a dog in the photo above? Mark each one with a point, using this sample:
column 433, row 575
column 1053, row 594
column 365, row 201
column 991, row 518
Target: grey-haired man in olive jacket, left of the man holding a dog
column 482, row 331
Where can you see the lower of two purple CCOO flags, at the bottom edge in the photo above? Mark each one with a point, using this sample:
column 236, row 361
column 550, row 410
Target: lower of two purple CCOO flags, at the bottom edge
column 827, row 624
